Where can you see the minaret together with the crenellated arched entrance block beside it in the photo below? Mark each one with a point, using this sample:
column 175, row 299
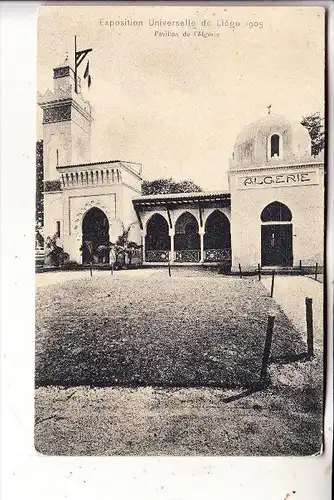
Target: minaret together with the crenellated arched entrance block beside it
column 86, row 204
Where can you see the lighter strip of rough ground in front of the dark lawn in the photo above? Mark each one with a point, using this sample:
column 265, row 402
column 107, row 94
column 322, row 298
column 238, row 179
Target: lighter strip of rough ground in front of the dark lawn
column 150, row 421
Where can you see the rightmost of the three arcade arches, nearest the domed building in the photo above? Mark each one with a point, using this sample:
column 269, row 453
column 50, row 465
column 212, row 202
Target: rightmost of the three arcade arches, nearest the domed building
column 217, row 238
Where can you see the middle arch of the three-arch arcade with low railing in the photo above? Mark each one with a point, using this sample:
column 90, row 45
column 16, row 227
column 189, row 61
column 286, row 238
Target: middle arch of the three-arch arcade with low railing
column 187, row 240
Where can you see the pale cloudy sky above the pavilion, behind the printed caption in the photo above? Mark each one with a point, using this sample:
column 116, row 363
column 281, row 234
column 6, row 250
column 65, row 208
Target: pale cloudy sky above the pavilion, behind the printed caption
column 176, row 104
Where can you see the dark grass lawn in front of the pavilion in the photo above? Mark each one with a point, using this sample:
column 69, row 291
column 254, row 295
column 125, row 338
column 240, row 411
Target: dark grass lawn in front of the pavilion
column 184, row 331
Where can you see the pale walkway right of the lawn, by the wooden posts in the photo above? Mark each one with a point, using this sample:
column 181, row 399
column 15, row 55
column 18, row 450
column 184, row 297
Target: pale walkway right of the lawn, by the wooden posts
column 290, row 293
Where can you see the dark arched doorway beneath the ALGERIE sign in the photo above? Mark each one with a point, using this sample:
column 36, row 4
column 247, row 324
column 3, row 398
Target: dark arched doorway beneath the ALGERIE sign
column 276, row 235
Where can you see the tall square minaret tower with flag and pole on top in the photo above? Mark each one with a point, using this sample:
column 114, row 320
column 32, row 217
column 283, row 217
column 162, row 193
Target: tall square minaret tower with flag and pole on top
column 66, row 136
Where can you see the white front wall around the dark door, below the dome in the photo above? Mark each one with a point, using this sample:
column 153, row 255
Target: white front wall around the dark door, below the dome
column 306, row 204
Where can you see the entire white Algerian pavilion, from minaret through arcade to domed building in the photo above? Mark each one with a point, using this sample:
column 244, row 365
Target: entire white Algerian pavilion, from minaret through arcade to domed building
column 272, row 214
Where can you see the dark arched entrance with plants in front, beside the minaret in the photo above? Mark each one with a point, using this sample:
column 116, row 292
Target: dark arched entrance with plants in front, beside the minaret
column 95, row 237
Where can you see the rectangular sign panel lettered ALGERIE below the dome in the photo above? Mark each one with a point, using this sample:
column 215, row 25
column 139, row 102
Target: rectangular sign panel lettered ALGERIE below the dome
column 278, row 180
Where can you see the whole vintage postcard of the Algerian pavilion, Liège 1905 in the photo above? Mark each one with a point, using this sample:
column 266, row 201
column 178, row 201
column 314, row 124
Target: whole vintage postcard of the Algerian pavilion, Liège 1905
column 180, row 230
